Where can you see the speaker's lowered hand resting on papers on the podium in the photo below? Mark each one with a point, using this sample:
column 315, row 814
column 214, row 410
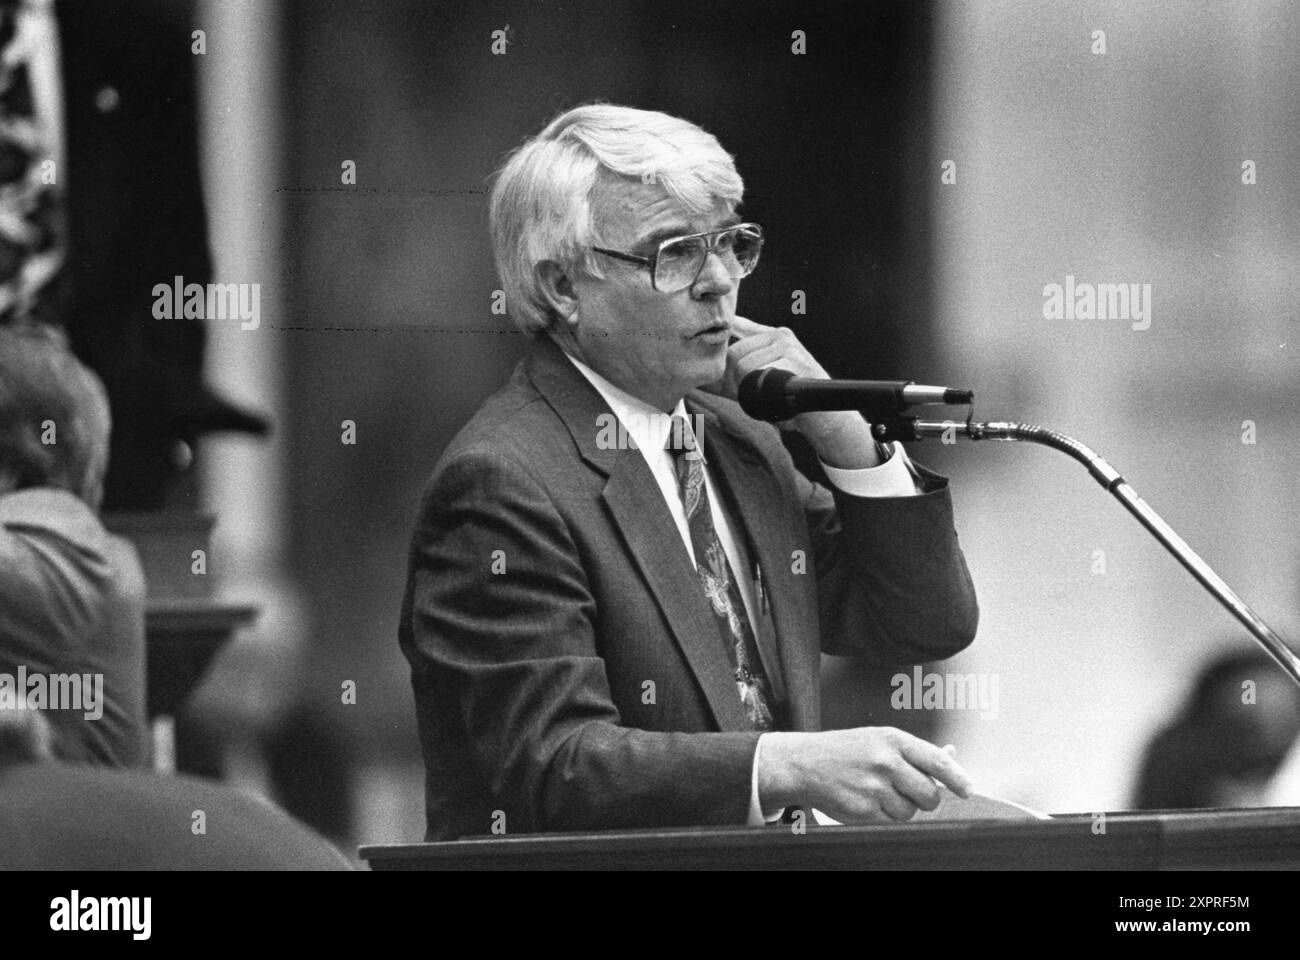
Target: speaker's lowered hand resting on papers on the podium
column 861, row 776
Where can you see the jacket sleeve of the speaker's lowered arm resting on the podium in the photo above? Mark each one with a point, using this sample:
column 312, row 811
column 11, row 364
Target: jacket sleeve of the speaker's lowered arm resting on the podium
column 517, row 655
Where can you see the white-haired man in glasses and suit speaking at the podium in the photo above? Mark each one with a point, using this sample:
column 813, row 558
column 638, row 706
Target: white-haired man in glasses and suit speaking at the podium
column 619, row 585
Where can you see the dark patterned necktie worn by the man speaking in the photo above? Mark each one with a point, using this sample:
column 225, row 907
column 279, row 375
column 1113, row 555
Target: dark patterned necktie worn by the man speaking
column 716, row 576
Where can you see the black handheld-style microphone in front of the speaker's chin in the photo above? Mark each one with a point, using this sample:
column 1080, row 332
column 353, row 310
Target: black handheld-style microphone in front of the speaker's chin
column 778, row 395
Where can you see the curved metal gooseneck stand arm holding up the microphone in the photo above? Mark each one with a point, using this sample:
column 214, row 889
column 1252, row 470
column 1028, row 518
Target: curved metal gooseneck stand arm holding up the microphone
column 913, row 429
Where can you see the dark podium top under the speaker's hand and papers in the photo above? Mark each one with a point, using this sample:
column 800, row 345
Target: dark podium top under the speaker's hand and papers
column 1147, row 841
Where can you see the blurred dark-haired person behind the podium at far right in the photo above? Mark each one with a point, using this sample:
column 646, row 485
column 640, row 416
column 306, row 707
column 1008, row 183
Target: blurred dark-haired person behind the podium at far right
column 1230, row 741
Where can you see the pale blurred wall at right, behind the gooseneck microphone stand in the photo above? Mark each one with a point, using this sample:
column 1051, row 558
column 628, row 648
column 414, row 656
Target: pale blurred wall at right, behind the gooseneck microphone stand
column 1124, row 167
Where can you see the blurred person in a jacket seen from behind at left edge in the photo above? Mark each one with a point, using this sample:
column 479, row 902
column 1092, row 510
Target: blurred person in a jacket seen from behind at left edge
column 72, row 596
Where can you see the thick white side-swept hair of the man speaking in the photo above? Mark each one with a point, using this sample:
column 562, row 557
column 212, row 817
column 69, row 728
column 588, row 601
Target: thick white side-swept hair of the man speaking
column 543, row 207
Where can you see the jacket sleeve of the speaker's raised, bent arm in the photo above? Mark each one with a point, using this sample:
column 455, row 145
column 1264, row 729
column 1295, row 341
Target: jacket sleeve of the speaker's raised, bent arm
column 892, row 580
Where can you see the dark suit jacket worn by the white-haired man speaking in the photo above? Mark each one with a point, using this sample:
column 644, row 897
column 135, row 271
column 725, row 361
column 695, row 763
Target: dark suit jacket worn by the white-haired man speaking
column 534, row 685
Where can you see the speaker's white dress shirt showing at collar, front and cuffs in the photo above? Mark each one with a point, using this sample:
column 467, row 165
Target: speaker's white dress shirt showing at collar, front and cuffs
column 651, row 427
